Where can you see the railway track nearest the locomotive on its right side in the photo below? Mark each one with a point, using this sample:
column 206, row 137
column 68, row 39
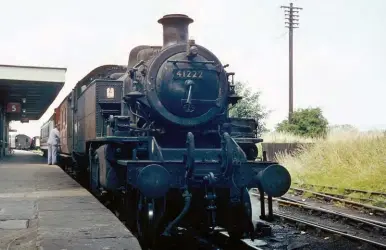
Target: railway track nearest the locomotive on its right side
column 362, row 229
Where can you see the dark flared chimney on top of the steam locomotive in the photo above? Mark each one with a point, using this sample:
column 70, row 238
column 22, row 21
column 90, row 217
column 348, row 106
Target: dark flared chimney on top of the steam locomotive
column 175, row 28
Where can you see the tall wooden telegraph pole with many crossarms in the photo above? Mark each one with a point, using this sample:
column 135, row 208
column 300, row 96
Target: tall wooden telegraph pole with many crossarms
column 291, row 14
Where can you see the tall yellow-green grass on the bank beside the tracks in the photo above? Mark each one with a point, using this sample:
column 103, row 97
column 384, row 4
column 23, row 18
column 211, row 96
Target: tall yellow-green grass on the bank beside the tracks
column 345, row 159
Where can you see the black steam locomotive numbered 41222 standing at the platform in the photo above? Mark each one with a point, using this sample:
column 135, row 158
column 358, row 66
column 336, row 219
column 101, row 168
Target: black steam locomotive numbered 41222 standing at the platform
column 155, row 138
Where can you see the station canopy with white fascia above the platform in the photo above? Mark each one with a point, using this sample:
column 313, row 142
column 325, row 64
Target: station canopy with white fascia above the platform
column 26, row 92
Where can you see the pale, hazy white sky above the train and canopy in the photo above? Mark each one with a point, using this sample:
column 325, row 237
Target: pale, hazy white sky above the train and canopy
column 339, row 49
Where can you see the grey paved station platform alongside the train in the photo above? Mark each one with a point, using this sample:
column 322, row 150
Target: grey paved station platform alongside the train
column 41, row 207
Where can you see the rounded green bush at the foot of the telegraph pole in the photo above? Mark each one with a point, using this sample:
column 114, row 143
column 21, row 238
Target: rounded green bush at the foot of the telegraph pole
column 308, row 122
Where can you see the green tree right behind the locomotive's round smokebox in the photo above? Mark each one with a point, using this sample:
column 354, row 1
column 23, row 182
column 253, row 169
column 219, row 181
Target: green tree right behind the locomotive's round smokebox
column 249, row 106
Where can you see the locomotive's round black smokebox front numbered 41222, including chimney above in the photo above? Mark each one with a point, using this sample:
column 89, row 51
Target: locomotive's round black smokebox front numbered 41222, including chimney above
column 186, row 83
